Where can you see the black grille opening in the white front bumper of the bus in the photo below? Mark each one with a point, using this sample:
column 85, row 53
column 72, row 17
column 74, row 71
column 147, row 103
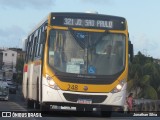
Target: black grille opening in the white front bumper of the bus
column 75, row 97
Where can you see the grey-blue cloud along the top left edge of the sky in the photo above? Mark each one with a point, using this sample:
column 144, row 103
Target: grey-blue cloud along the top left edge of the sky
column 21, row 4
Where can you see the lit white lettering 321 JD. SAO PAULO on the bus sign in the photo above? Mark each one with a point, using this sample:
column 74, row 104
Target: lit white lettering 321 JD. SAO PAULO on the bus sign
column 88, row 23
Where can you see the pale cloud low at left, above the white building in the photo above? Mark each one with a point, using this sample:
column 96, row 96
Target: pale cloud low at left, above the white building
column 11, row 37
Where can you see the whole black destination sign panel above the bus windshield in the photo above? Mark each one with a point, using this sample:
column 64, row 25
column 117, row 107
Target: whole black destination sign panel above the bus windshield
column 88, row 21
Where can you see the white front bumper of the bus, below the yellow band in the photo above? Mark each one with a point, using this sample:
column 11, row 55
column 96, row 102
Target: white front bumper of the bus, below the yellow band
column 69, row 98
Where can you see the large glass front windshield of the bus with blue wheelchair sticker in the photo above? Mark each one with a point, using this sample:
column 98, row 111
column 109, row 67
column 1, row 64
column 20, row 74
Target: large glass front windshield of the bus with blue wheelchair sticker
column 91, row 53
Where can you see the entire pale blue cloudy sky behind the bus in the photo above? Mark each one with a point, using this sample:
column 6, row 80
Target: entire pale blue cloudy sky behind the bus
column 18, row 18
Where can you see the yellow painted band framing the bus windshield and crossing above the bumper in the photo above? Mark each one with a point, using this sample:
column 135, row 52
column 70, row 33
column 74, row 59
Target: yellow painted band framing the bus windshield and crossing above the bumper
column 91, row 87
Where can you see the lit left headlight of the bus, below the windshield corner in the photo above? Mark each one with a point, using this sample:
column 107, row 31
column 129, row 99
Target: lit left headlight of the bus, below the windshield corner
column 51, row 83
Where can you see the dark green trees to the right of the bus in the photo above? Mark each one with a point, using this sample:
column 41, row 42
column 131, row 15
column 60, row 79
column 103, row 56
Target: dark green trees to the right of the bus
column 144, row 74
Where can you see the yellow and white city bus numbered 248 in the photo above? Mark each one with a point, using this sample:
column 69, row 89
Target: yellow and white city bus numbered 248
column 77, row 60
